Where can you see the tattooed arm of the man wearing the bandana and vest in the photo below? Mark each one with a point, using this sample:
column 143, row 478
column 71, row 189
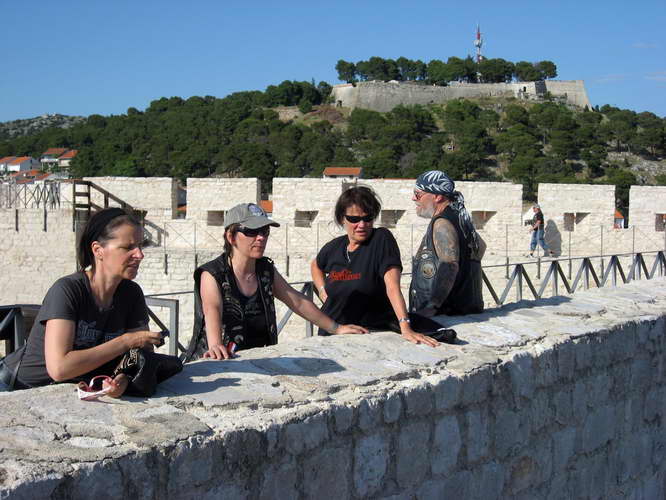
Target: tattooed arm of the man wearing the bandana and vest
column 445, row 239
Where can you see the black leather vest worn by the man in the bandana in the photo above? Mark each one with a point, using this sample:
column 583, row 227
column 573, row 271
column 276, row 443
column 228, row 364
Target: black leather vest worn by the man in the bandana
column 465, row 297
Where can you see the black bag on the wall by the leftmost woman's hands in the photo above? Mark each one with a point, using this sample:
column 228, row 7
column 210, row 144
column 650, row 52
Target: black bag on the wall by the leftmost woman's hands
column 145, row 369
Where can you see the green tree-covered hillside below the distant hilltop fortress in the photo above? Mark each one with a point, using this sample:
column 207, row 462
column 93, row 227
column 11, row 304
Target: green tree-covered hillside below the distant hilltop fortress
column 242, row 135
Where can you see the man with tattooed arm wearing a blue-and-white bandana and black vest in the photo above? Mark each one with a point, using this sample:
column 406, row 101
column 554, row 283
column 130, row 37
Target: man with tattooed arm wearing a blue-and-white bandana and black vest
column 446, row 270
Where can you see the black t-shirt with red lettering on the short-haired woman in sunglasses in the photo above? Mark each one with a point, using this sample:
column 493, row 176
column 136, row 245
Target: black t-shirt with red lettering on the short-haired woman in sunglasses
column 355, row 280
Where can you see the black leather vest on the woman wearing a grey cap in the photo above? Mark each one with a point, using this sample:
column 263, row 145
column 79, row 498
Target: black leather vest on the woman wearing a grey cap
column 232, row 318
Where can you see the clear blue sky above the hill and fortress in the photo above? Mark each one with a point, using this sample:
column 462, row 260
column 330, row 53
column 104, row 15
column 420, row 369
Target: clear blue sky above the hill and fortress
column 91, row 56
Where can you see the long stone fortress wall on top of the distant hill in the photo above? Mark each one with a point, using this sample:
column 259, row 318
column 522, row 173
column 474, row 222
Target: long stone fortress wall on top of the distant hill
column 384, row 96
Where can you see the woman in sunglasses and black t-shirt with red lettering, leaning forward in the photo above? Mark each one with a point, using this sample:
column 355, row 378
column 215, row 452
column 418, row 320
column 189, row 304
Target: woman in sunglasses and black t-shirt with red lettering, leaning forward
column 357, row 276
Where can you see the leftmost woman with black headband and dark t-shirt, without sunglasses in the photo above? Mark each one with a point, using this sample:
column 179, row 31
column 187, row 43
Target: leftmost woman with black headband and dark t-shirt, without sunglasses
column 89, row 319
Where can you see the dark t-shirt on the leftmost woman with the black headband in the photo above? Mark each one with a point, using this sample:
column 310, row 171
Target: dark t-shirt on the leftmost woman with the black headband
column 71, row 298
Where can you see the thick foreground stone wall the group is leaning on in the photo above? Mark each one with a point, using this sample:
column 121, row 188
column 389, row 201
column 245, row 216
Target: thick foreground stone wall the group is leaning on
column 561, row 400
